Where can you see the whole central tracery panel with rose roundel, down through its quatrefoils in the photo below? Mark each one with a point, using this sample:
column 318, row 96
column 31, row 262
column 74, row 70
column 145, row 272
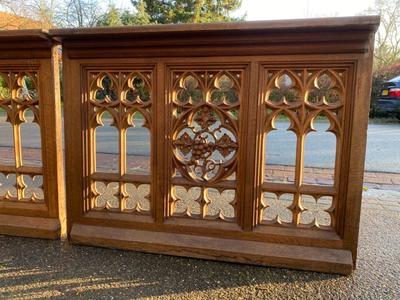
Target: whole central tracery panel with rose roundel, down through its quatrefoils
column 205, row 117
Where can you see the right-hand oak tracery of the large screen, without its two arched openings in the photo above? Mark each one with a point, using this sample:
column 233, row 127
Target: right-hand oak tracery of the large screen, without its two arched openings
column 302, row 98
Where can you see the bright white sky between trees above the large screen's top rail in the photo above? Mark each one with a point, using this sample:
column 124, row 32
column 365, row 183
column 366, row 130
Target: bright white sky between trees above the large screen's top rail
column 291, row 9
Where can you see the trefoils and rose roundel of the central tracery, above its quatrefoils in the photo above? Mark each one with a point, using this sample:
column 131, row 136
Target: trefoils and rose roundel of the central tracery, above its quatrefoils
column 205, row 133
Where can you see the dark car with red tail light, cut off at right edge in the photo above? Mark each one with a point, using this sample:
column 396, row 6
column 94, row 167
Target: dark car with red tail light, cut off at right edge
column 389, row 101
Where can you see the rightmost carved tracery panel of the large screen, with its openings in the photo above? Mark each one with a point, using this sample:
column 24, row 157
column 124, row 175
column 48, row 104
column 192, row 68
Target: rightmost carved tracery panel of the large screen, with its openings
column 304, row 101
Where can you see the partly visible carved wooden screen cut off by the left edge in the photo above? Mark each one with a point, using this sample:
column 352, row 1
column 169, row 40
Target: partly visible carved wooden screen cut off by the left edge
column 31, row 169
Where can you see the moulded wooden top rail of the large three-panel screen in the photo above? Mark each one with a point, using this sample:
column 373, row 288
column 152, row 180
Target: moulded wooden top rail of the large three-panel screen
column 311, row 36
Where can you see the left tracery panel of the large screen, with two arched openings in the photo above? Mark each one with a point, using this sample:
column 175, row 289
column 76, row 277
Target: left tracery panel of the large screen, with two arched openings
column 119, row 101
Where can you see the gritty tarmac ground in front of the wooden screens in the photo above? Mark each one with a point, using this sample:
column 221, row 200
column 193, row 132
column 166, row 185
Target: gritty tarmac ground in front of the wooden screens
column 34, row 269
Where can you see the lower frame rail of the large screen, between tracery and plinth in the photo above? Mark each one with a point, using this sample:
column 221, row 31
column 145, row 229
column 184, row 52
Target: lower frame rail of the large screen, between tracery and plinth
column 273, row 234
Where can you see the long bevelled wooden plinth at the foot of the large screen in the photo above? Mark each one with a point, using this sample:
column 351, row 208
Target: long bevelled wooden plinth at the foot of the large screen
column 242, row 251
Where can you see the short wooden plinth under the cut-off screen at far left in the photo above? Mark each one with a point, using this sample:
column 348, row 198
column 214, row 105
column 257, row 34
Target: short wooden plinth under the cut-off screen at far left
column 47, row 228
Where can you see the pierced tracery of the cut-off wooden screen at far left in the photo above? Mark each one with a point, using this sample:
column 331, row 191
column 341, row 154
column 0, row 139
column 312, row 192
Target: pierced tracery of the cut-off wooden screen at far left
column 21, row 174
